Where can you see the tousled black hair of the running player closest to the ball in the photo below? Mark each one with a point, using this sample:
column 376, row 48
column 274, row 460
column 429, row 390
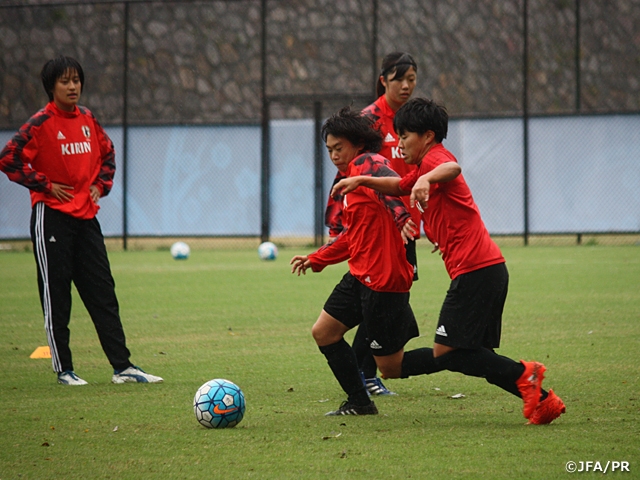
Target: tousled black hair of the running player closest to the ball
column 355, row 127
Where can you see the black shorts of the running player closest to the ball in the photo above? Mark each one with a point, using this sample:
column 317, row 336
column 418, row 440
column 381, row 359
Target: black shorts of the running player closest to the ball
column 387, row 316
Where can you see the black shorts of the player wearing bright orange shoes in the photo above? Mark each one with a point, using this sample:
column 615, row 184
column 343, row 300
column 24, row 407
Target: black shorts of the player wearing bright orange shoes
column 471, row 315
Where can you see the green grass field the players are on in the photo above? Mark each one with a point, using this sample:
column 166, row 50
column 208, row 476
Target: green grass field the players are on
column 226, row 314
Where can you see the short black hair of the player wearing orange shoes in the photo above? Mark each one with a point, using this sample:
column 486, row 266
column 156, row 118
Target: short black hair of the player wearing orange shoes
column 420, row 115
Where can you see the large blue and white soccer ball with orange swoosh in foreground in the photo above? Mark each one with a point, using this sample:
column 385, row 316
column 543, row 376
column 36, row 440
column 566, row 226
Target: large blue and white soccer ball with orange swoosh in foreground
column 219, row 403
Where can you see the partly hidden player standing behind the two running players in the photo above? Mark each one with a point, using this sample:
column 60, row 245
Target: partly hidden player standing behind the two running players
column 395, row 85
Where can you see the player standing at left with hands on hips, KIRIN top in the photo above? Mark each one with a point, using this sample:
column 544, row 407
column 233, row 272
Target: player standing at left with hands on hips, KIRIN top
column 67, row 161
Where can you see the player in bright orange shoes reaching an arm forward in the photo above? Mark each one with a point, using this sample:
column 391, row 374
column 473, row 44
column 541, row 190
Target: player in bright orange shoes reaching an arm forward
column 470, row 320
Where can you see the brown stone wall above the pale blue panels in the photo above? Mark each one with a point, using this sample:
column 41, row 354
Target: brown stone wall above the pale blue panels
column 199, row 61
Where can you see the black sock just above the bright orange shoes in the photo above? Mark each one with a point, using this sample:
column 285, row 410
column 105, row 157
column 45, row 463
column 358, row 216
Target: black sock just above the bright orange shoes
column 496, row 369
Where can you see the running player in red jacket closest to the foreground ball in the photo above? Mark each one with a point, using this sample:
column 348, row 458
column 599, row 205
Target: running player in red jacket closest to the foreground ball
column 375, row 291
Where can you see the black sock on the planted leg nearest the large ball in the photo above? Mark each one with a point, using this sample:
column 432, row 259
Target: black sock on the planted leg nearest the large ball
column 343, row 364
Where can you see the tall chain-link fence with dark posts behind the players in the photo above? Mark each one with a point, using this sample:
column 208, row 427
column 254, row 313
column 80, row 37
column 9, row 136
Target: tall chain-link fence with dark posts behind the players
column 214, row 106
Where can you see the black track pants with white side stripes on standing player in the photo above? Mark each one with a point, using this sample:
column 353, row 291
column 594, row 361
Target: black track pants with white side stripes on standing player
column 69, row 249
